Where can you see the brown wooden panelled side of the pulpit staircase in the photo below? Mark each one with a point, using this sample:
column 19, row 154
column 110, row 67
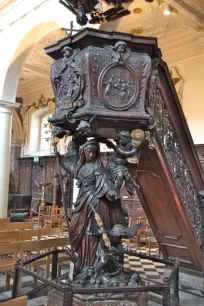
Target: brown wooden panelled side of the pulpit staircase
column 165, row 211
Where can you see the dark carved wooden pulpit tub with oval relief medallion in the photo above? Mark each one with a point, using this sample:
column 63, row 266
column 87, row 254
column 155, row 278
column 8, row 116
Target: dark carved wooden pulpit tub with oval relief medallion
column 108, row 80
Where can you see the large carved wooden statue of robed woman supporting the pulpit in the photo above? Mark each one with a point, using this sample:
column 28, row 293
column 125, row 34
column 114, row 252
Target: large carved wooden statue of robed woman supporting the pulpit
column 97, row 195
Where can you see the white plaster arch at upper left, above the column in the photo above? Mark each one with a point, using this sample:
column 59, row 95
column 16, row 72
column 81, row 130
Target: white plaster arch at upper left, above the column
column 20, row 28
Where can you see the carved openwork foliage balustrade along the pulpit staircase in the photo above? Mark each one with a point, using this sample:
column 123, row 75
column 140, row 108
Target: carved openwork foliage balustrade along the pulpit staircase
column 177, row 165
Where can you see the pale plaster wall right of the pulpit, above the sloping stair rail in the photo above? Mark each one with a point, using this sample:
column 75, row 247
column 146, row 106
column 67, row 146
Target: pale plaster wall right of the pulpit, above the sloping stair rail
column 185, row 51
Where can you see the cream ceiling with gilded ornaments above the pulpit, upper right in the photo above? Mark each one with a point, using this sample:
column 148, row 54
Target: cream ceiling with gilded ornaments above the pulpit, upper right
column 148, row 18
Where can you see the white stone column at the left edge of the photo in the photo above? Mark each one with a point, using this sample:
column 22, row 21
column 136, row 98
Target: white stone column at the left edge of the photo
column 6, row 109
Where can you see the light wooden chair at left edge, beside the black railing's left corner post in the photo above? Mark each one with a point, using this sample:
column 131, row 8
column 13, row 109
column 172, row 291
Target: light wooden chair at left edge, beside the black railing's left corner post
column 7, row 264
